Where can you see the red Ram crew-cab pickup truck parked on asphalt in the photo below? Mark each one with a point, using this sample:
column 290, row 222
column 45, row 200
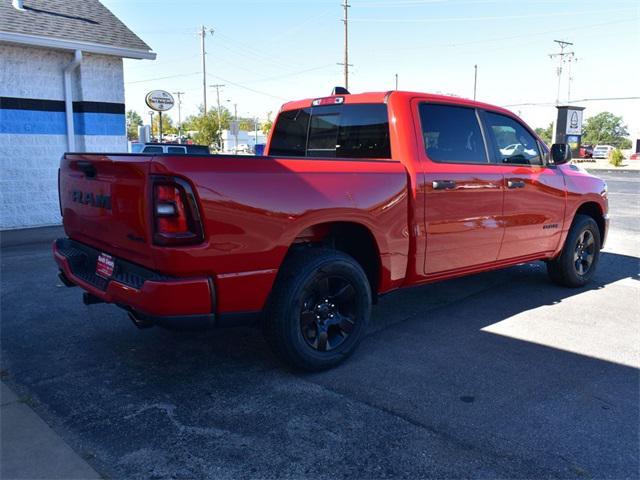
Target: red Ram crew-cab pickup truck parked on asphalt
column 357, row 195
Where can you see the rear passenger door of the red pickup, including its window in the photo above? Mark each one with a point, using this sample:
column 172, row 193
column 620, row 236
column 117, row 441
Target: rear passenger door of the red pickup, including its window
column 464, row 191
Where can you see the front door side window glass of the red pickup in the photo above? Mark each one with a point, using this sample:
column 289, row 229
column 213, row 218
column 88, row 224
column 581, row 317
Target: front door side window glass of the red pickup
column 512, row 143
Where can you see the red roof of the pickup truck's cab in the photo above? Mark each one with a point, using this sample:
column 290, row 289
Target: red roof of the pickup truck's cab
column 382, row 97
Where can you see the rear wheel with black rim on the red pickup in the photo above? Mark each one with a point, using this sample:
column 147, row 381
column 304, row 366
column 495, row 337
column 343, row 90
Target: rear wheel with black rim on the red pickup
column 319, row 309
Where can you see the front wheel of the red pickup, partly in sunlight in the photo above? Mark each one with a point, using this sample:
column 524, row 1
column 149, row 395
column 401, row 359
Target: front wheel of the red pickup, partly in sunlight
column 576, row 264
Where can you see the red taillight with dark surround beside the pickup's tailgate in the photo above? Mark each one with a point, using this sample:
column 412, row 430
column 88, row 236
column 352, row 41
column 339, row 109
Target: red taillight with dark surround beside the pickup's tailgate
column 176, row 217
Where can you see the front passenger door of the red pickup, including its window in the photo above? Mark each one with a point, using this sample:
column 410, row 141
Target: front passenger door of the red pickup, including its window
column 534, row 201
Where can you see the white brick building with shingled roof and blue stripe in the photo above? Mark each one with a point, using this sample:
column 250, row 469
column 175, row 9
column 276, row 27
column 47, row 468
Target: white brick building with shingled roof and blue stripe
column 61, row 89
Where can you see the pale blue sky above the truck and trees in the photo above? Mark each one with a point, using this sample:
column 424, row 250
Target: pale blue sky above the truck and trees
column 272, row 51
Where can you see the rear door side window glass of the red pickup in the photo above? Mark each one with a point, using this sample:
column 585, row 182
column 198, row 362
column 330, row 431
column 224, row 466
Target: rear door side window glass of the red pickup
column 452, row 134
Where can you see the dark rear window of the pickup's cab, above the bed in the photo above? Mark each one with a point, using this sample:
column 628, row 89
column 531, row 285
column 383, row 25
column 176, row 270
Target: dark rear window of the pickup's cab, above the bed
column 334, row 131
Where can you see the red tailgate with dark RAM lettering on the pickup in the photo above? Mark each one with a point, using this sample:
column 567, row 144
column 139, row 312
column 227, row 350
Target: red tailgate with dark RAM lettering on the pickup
column 103, row 200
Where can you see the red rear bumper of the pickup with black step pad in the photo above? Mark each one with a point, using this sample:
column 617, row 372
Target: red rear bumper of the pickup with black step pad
column 148, row 295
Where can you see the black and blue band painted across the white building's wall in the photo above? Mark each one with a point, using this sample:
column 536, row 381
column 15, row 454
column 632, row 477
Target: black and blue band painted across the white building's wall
column 47, row 117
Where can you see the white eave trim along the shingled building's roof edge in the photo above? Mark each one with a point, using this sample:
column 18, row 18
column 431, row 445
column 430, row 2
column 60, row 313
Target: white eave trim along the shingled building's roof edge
column 62, row 44
